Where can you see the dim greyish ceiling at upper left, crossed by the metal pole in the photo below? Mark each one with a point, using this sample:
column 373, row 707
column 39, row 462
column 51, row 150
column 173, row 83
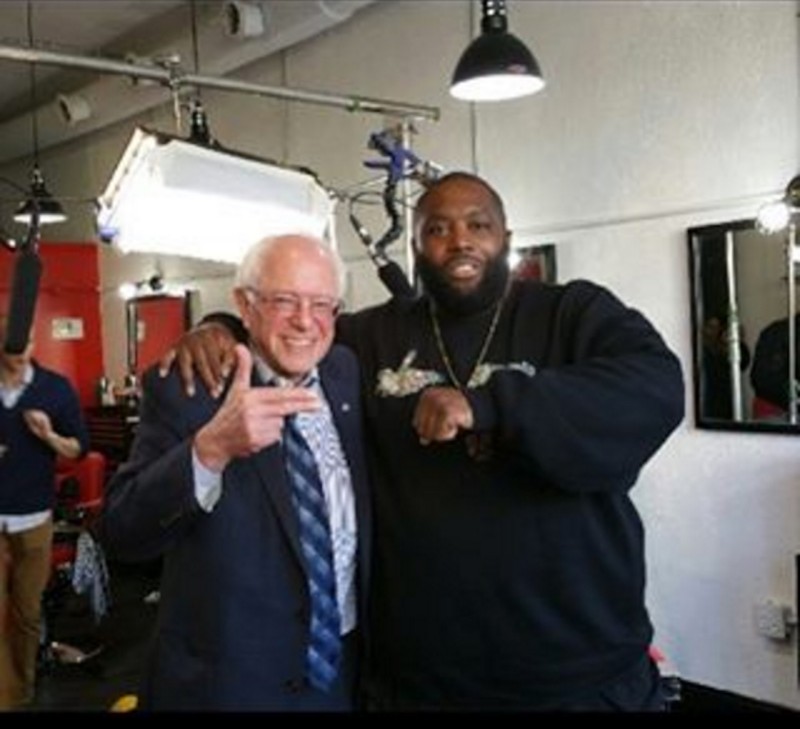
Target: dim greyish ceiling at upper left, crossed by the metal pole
column 122, row 30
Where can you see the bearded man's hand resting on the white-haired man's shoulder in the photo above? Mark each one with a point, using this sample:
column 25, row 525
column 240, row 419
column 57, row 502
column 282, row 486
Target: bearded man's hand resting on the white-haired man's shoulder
column 207, row 348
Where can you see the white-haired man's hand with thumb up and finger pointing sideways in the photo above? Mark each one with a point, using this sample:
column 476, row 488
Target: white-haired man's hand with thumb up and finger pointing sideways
column 250, row 418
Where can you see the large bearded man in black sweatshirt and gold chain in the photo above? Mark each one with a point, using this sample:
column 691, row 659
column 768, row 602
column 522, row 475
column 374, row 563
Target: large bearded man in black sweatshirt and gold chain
column 507, row 422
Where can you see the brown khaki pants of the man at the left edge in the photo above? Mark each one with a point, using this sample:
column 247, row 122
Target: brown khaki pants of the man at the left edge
column 24, row 572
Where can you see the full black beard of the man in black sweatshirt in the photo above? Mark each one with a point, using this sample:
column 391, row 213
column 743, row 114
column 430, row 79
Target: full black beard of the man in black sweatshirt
column 489, row 291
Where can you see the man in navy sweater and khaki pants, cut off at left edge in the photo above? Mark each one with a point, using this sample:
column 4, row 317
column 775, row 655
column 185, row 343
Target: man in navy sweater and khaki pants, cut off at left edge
column 40, row 419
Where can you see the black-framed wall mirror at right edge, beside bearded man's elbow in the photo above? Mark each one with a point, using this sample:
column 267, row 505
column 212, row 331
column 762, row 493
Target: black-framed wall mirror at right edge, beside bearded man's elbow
column 743, row 290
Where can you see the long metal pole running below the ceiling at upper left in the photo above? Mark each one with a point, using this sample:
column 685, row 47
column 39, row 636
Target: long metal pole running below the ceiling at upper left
column 174, row 78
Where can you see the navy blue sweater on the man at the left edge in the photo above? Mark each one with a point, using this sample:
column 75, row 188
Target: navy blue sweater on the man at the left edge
column 27, row 469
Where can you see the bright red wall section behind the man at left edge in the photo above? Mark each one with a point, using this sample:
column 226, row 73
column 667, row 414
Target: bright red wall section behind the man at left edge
column 69, row 287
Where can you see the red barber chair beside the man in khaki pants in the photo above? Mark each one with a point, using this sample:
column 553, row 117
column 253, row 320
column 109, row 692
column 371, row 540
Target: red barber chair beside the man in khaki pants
column 75, row 555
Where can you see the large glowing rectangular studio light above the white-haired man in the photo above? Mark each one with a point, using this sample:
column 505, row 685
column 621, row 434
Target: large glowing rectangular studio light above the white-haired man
column 177, row 197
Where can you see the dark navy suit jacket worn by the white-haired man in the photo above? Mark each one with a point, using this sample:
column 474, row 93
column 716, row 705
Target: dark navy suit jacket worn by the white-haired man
column 233, row 616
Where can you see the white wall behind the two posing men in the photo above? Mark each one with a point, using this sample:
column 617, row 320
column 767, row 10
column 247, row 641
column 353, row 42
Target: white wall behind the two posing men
column 657, row 116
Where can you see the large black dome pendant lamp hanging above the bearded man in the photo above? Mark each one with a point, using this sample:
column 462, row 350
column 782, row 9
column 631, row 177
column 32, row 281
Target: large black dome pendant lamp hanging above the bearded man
column 497, row 65
